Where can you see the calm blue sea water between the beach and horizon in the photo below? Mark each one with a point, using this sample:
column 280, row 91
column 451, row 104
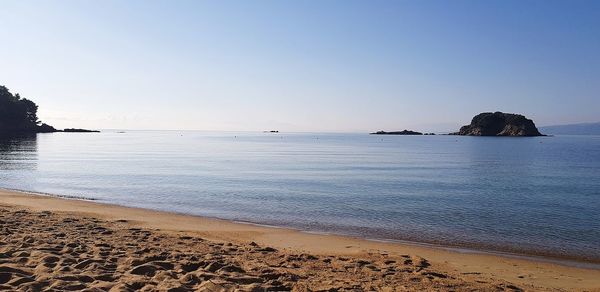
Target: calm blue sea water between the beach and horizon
column 525, row 195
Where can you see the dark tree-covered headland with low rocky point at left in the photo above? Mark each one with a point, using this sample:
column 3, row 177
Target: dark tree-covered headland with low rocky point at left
column 18, row 116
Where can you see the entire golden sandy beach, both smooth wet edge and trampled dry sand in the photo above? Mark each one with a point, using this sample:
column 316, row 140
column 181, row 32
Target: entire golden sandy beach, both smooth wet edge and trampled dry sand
column 49, row 243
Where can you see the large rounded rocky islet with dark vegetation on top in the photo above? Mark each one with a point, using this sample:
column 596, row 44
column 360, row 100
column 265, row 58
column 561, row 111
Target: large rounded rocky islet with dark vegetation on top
column 499, row 124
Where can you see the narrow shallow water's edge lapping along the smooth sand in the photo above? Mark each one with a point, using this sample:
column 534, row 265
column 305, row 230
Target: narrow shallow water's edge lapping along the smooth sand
column 570, row 261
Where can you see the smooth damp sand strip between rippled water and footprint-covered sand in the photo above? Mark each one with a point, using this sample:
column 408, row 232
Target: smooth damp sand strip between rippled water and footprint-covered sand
column 522, row 271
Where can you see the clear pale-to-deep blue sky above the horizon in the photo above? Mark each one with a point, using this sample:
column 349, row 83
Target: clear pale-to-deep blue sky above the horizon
column 301, row 65
